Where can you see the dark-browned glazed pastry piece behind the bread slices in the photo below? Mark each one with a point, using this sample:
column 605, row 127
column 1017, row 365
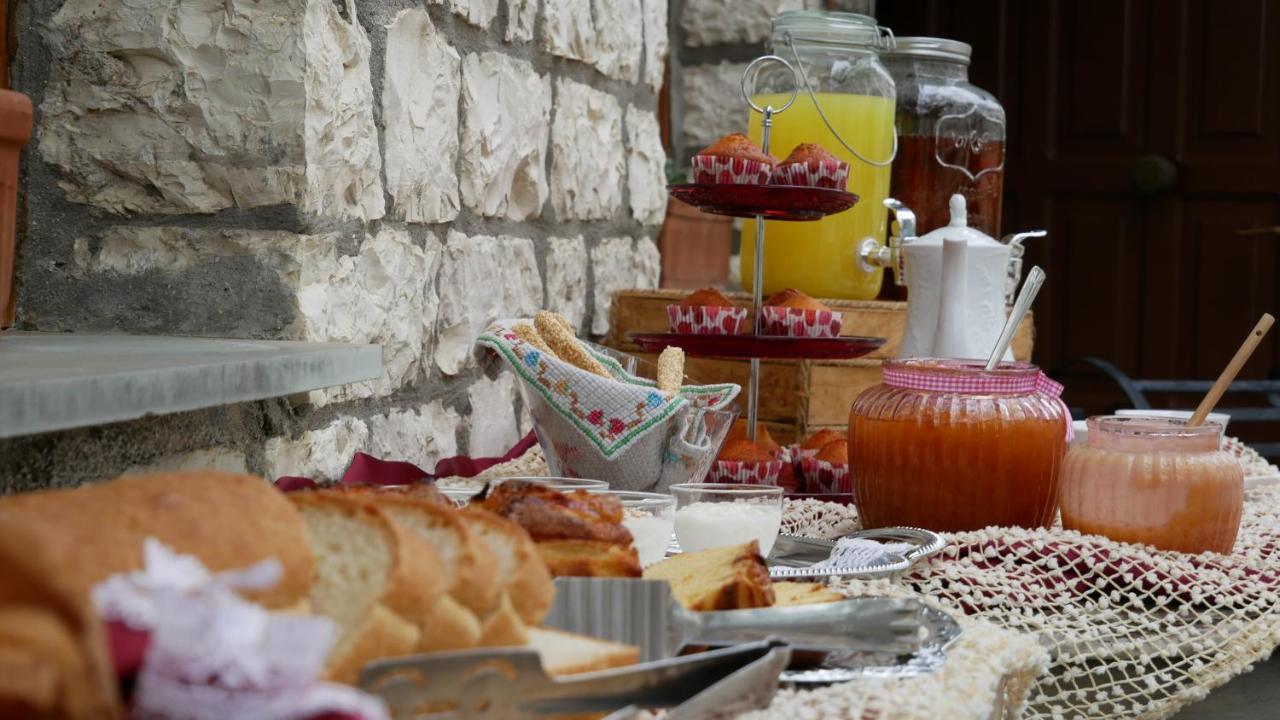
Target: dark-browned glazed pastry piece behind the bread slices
column 577, row 534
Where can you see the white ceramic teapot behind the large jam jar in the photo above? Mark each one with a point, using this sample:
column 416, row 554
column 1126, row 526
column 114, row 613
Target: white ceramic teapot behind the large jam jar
column 958, row 280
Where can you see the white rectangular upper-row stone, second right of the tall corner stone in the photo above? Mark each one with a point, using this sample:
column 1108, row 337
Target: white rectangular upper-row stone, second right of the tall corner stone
column 506, row 112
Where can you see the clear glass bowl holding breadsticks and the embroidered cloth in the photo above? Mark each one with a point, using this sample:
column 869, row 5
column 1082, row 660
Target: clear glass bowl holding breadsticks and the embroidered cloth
column 689, row 440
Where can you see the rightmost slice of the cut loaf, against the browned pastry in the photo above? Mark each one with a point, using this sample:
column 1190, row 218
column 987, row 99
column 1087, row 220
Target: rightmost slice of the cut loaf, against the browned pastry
column 529, row 584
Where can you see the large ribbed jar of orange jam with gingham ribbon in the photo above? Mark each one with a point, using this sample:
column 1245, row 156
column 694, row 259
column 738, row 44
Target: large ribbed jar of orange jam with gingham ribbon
column 949, row 446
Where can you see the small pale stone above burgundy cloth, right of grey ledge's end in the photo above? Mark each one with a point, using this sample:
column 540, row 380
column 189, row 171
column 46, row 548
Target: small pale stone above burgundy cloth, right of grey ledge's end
column 423, row 436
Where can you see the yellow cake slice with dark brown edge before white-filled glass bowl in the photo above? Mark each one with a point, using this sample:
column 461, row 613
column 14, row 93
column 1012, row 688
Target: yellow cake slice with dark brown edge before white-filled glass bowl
column 723, row 578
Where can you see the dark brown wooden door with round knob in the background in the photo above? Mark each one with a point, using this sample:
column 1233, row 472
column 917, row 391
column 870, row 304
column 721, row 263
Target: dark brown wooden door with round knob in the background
column 1145, row 135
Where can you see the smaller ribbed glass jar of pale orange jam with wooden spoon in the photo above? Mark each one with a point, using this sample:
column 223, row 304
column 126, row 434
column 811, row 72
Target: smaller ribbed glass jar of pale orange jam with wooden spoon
column 1154, row 481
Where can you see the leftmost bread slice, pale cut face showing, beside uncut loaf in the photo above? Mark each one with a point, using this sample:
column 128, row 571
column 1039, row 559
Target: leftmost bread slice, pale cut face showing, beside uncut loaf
column 369, row 580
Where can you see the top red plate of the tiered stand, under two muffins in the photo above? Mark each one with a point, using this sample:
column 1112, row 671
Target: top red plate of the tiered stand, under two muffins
column 772, row 202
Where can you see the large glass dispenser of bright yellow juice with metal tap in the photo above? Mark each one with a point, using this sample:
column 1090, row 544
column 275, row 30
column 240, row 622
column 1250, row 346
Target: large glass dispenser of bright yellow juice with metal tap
column 845, row 104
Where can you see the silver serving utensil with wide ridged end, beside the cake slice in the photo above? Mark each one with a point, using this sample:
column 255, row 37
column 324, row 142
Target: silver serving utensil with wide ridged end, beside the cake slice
column 644, row 613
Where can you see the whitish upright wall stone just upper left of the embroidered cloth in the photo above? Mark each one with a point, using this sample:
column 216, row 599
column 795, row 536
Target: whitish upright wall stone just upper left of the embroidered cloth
column 469, row 300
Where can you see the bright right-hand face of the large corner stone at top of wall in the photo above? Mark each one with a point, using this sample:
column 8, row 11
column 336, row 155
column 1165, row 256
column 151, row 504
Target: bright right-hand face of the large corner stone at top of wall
column 344, row 165
